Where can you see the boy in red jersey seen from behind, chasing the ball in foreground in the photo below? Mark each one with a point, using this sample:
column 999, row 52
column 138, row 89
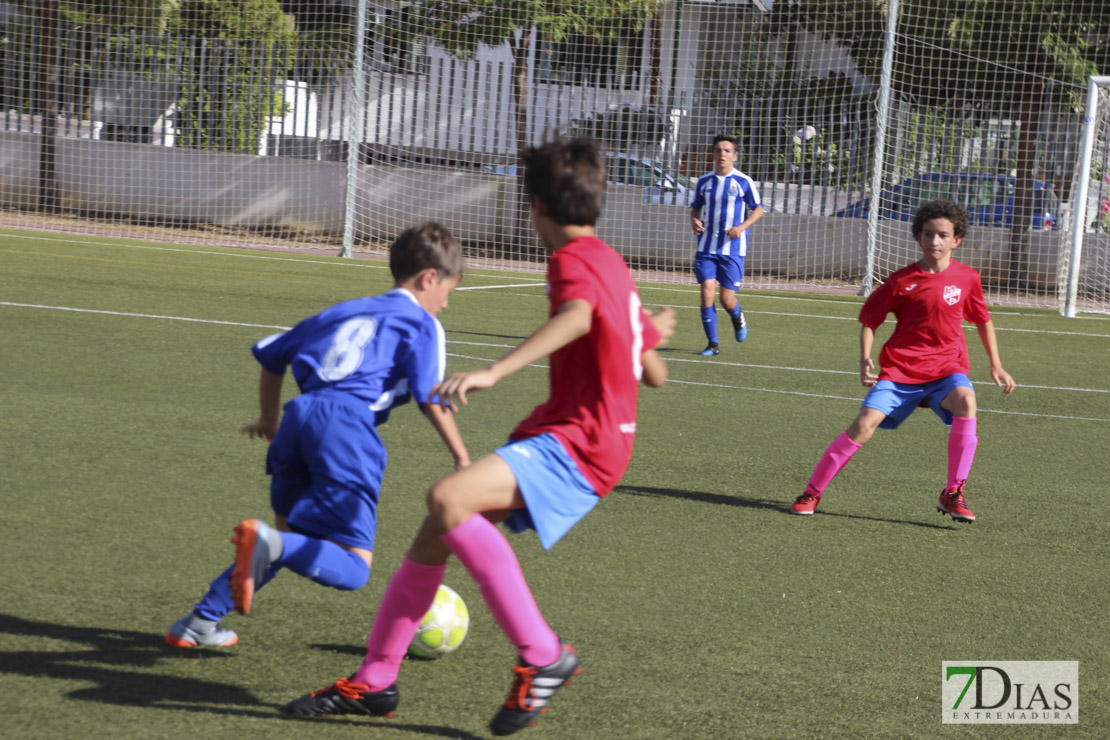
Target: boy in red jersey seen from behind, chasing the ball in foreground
column 558, row 465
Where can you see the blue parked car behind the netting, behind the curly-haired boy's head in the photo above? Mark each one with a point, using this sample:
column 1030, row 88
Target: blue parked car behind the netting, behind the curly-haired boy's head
column 988, row 198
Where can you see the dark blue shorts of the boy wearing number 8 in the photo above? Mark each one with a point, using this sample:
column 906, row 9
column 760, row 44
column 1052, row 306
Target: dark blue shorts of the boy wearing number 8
column 327, row 462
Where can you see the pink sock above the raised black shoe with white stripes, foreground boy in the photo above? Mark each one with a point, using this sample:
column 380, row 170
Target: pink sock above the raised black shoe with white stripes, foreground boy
column 492, row 563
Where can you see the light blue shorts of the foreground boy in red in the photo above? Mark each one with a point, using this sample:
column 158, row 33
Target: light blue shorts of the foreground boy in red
column 557, row 495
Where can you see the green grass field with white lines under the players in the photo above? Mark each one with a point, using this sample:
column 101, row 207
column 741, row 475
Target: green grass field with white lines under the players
column 700, row 607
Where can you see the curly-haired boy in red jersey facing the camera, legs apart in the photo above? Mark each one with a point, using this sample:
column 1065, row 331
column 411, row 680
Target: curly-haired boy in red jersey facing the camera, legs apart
column 925, row 362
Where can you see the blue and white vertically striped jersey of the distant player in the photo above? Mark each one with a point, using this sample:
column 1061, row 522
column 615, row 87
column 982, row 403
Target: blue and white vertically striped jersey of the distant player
column 725, row 201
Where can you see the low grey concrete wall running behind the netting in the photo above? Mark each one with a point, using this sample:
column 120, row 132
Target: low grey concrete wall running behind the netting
column 184, row 186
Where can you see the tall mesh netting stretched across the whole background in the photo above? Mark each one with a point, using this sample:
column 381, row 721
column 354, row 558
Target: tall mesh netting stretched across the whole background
column 335, row 125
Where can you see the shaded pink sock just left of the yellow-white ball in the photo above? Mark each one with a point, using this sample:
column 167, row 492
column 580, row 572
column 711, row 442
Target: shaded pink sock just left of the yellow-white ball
column 408, row 599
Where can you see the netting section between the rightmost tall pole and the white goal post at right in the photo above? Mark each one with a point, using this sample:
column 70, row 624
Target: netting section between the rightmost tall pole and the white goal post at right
column 982, row 115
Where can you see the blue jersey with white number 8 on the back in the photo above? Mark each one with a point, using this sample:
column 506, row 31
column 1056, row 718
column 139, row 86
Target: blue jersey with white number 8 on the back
column 382, row 351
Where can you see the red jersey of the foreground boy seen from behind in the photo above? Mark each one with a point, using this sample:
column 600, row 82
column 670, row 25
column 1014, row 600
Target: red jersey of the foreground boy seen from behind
column 594, row 381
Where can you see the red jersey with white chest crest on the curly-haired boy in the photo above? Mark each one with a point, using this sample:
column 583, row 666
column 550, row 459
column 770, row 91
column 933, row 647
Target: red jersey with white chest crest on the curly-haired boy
column 929, row 341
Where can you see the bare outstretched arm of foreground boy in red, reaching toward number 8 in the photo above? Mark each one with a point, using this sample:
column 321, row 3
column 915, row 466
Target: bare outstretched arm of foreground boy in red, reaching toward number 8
column 572, row 321
